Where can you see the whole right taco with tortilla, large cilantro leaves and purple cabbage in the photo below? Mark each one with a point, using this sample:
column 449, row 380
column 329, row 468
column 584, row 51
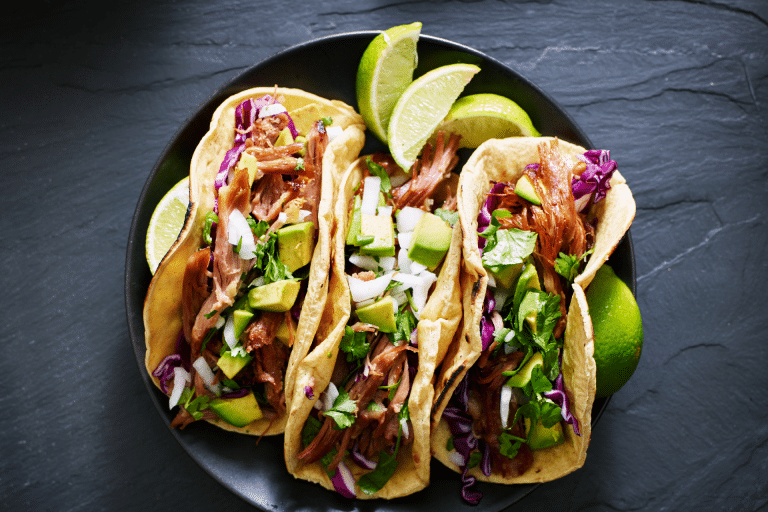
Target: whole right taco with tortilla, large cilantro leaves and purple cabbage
column 515, row 395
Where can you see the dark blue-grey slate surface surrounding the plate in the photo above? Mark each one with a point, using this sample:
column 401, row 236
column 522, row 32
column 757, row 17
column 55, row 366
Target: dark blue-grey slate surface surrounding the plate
column 92, row 92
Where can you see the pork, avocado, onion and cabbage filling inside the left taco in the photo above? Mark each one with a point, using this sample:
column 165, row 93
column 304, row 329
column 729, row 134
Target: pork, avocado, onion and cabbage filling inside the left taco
column 243, row 290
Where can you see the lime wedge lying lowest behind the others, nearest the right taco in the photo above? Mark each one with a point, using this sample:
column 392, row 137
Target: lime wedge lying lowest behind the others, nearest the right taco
column 480, row 117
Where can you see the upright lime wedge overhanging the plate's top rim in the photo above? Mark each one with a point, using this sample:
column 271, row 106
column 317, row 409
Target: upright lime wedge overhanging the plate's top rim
column 385, row 70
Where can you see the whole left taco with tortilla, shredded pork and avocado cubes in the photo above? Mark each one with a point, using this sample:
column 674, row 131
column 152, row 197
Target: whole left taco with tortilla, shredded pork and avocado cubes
column 230, row 305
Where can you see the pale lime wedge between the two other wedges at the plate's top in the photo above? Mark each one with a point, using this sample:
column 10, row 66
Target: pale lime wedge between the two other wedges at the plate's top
column 423, row 105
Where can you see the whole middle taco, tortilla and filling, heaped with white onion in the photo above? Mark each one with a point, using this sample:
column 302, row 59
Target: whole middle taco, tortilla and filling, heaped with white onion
column 359, row 419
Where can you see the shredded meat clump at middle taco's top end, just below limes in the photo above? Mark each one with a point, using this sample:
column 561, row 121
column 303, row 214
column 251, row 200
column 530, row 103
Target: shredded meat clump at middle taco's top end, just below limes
column 433, row 168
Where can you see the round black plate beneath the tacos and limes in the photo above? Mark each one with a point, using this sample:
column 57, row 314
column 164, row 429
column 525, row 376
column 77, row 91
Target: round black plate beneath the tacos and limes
column 326, row 67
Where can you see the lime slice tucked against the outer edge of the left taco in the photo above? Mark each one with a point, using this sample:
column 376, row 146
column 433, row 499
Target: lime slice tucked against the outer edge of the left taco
column 166, row 223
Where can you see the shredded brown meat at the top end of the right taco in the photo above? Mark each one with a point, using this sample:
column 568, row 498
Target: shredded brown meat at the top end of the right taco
column 560, row 228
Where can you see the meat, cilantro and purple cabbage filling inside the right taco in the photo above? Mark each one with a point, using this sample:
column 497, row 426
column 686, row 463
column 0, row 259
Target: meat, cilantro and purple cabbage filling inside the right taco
column 533, row 237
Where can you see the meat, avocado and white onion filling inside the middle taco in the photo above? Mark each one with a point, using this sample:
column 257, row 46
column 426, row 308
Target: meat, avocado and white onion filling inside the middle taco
column 399, row 231
